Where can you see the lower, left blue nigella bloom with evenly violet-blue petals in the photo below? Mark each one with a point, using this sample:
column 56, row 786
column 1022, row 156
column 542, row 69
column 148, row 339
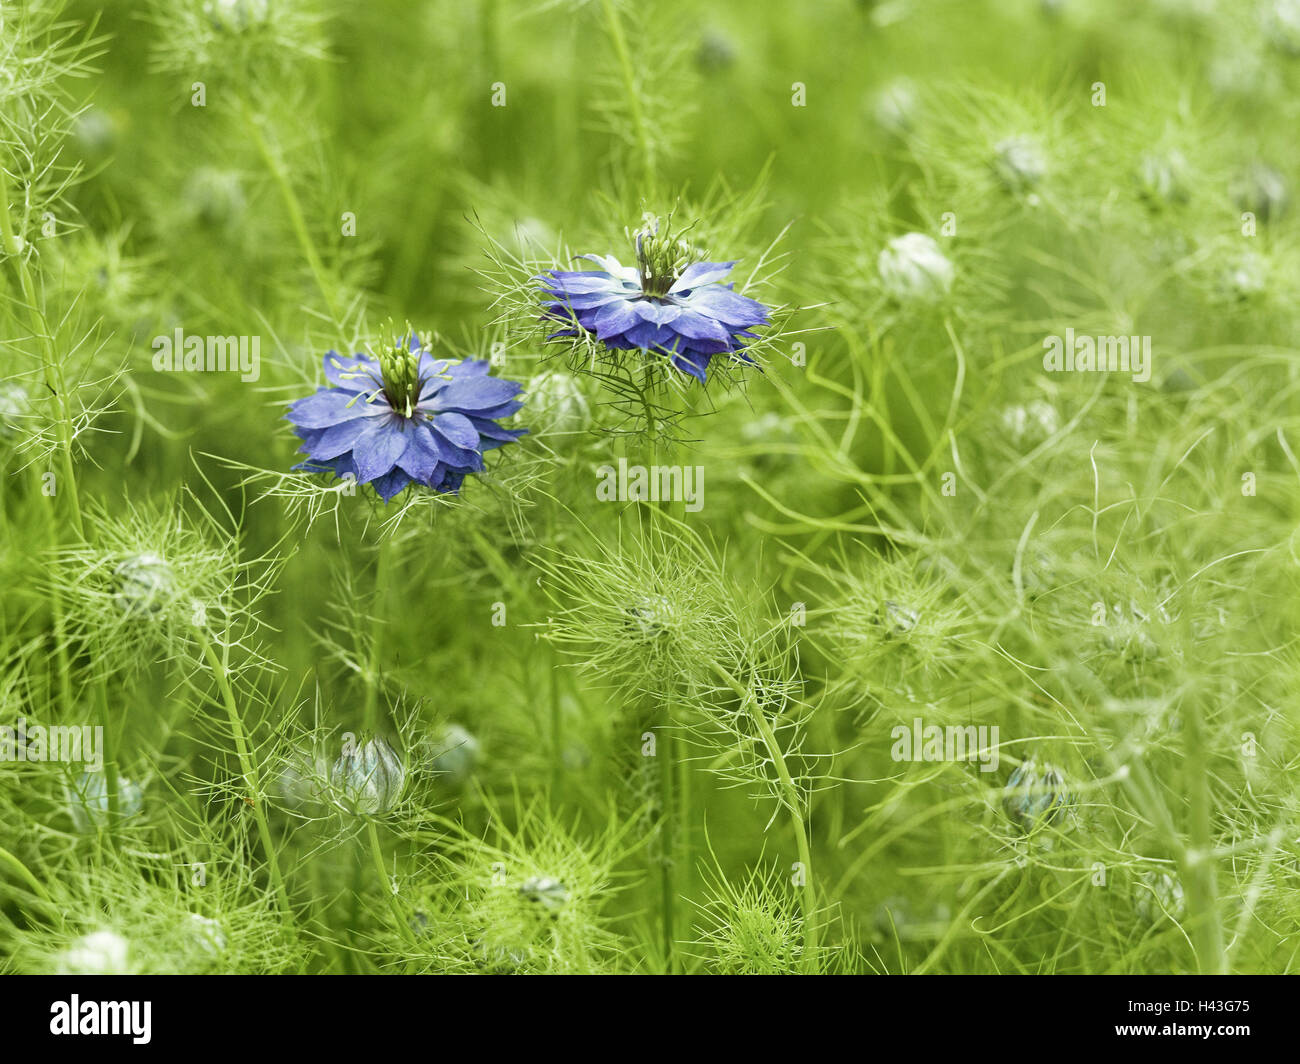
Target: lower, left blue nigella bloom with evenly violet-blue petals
column 404, row 418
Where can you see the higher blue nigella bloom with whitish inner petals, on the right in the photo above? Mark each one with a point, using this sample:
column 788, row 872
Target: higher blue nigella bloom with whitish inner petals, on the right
column 670, row 305
